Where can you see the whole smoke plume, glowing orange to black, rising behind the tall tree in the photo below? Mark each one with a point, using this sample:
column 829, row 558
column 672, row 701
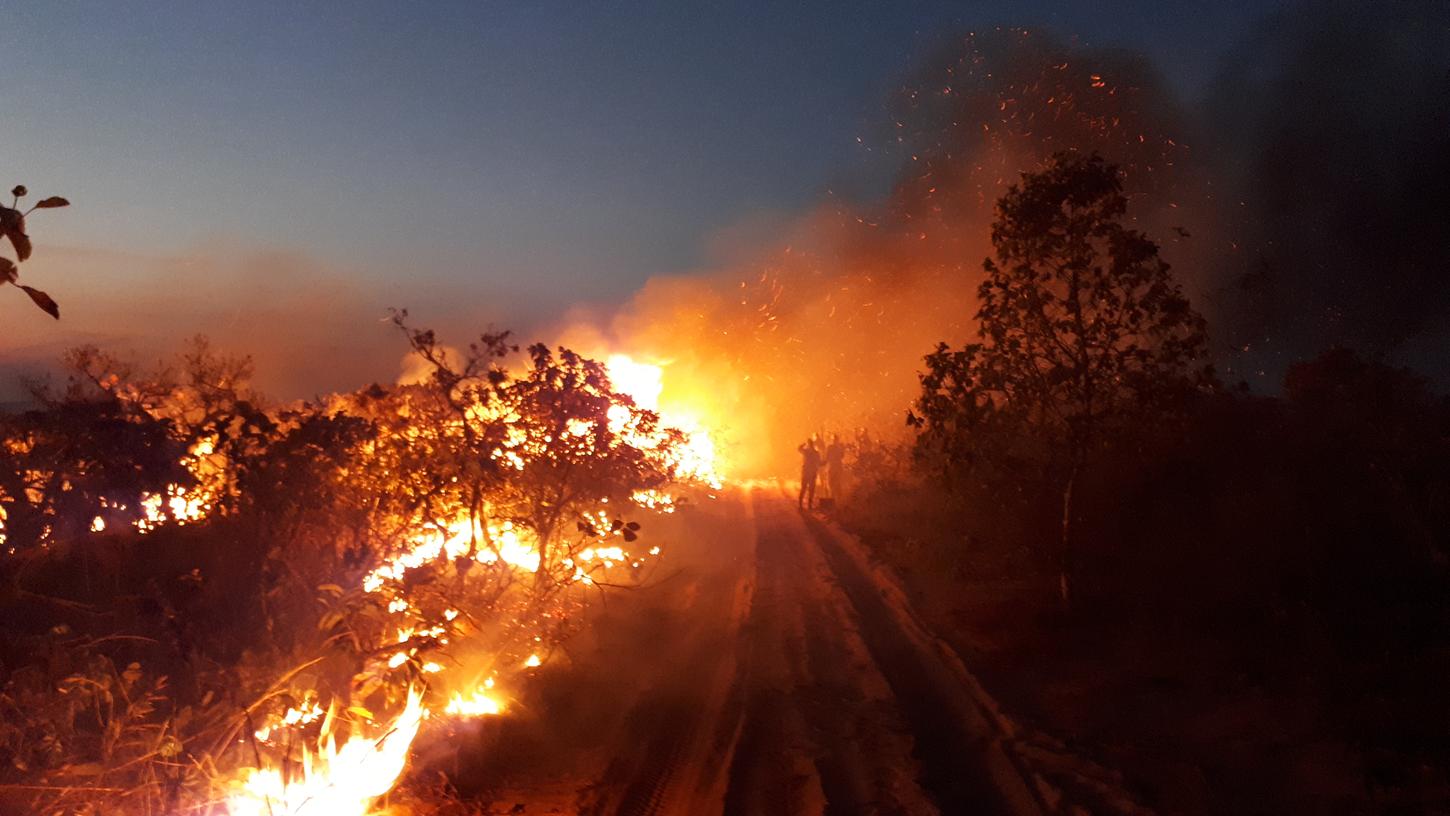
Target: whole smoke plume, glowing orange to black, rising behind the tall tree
column 1307, row 204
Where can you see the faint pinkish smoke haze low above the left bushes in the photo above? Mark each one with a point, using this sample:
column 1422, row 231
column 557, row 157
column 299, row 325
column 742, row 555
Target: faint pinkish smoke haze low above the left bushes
column 307, row 327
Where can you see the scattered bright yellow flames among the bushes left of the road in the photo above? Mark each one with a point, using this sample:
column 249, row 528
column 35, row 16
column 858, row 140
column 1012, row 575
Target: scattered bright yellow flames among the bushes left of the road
column 308, row 760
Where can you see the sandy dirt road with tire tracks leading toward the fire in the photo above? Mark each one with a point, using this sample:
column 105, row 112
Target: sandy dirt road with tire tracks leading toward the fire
column 787, row 685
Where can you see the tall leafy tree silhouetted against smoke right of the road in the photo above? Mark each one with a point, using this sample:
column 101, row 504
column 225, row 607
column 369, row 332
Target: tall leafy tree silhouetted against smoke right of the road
column 1082, row 328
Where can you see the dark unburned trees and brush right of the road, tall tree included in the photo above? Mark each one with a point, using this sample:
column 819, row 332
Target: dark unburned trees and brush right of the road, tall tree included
column 1239, row 601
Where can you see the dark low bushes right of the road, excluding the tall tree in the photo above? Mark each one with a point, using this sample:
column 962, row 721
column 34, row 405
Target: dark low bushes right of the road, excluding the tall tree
column 1287, row 556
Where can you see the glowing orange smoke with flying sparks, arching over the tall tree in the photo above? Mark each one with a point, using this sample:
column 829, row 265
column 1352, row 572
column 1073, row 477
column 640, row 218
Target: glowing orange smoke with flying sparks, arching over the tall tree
column 823, row 330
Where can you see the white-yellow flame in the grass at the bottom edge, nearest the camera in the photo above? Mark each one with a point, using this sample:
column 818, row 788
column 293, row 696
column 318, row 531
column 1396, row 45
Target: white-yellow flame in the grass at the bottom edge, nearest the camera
column 331, row 780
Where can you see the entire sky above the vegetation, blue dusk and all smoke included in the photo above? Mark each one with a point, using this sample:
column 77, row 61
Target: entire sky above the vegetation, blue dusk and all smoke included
column 279, row 175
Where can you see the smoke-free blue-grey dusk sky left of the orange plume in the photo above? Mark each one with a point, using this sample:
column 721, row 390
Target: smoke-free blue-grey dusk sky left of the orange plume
column 275, row 170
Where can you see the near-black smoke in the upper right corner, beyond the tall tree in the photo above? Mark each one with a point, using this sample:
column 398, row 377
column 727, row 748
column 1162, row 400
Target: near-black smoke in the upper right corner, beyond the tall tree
column 1332, row 136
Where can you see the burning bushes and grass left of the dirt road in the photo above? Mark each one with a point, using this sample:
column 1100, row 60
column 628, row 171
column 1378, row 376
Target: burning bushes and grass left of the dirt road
column 318, row 580
